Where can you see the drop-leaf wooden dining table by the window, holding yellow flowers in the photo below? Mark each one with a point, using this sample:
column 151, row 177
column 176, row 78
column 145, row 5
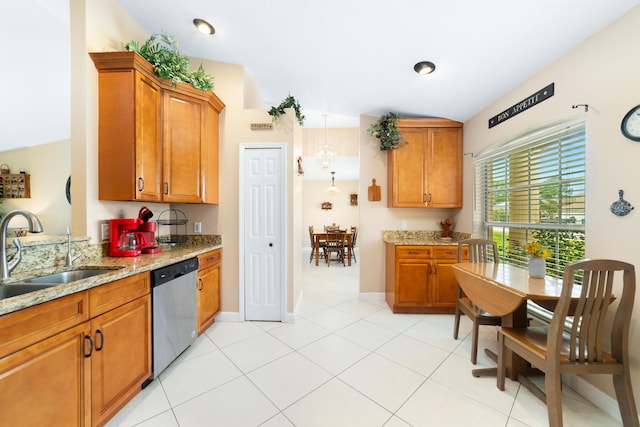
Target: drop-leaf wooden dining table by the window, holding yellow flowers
column 504, row 290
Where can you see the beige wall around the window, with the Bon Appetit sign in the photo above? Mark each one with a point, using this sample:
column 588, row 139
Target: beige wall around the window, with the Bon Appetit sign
column 601, row 72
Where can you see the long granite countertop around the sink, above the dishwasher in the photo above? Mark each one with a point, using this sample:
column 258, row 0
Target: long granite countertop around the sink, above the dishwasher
column 123, row 267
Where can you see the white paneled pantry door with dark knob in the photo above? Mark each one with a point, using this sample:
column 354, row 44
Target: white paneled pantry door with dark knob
column 263, row 230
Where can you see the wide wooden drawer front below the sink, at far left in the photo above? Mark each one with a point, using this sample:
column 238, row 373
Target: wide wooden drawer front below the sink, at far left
column 30, row 325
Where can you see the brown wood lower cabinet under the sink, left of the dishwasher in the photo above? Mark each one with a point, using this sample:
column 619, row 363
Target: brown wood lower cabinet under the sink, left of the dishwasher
column 73, row 363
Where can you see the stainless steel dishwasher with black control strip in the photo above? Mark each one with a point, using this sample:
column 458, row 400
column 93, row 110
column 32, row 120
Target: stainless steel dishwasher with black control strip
column 175, row 311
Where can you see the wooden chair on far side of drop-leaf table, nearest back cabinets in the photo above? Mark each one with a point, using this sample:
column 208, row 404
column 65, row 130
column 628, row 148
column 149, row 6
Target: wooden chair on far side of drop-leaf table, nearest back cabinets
column 480, row 250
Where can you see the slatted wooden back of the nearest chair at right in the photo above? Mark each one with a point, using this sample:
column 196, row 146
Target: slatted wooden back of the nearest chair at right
column 590, row 311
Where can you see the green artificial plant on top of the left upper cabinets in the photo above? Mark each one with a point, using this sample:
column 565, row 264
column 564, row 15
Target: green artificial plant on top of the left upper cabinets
column 168, row 63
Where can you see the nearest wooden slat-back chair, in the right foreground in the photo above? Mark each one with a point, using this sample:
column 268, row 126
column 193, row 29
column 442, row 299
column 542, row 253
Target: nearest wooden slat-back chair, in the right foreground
column 557, row 349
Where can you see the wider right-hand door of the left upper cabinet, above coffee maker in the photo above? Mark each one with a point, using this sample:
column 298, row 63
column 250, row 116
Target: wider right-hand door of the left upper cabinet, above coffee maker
column 182, row 144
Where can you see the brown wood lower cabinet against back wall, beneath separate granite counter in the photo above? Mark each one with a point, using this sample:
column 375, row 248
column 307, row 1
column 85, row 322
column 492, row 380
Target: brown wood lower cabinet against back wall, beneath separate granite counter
column 419, row 279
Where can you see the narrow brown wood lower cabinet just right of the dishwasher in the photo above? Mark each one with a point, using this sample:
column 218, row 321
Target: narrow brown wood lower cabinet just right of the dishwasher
column 208, row 288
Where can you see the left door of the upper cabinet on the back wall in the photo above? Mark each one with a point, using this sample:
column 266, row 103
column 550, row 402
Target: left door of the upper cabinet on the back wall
column 406, row 166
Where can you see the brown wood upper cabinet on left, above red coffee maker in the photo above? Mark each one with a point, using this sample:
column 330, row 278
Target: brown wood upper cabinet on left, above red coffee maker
column 157, row 142
